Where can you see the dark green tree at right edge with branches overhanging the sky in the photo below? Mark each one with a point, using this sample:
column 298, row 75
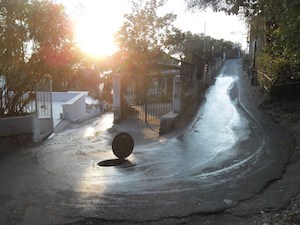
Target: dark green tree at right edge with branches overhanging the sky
column 275, row 25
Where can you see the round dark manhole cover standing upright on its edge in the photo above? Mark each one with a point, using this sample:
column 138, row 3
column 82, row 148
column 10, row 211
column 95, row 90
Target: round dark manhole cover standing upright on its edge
column 122, row 145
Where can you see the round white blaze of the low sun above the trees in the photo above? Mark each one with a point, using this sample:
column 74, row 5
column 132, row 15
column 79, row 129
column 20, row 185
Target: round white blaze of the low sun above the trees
column 96, row 28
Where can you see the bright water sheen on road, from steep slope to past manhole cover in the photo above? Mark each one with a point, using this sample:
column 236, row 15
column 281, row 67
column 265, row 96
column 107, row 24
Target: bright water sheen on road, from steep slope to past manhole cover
column 212, row 138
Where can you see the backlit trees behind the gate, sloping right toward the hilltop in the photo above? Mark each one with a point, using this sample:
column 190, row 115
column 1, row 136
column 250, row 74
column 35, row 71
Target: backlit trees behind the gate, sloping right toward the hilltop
column 146, row 37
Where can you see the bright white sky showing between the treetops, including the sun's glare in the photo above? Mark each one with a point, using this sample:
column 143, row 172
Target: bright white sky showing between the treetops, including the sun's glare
column 97, row 16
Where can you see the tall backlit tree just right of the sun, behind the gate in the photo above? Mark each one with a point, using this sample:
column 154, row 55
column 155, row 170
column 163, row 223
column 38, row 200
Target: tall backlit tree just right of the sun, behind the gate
column 144, row 35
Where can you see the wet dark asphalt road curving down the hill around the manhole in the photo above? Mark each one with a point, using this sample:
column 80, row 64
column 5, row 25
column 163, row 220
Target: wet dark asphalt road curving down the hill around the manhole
column 227, row 154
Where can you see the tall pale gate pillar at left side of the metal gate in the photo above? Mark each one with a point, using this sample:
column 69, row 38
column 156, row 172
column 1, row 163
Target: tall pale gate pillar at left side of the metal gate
column 117, row 97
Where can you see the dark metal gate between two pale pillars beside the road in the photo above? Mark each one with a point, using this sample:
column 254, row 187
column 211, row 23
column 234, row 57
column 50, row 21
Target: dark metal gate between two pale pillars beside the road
column 147, row 99
